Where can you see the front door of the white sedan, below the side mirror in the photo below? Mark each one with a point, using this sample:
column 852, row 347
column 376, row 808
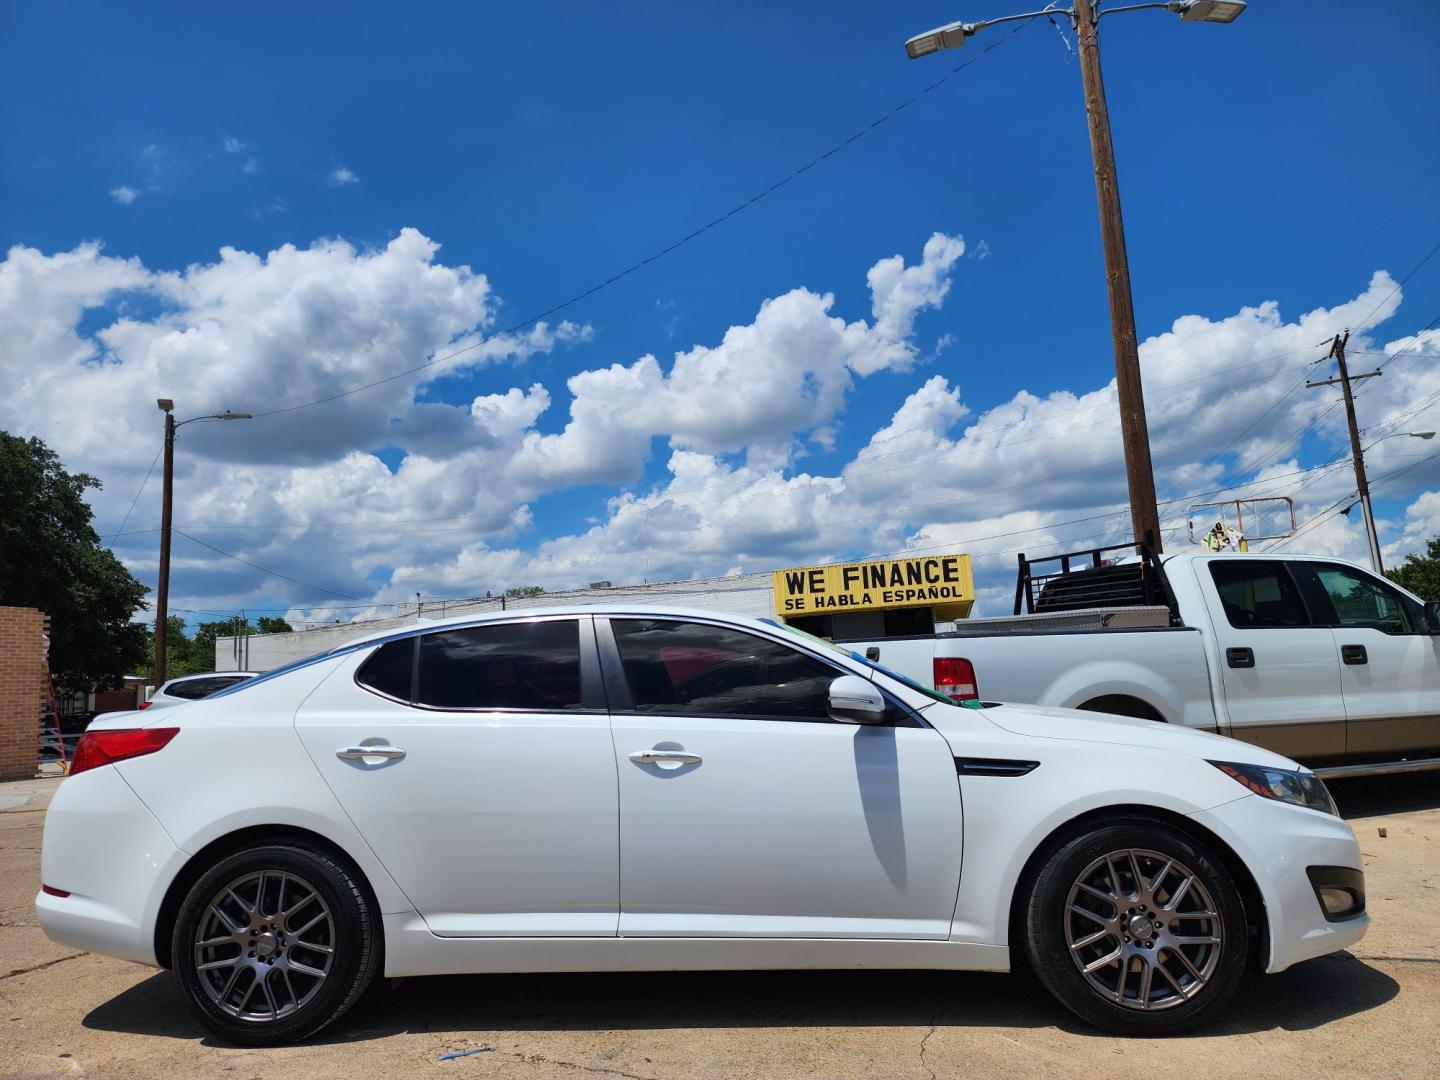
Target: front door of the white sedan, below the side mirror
column 787, row 826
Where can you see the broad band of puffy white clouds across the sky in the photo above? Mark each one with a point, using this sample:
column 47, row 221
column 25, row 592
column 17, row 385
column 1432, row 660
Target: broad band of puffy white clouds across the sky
column 453, row 510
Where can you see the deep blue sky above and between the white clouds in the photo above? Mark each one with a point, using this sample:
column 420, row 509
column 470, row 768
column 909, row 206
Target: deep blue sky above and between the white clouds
column 1285, row 159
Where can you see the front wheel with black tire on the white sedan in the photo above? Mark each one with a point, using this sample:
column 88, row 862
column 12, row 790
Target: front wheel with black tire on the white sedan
column 1140, row 938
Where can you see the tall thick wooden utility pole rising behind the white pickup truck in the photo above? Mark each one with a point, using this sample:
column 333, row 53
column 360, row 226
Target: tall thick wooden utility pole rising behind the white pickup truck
column 1134, row 430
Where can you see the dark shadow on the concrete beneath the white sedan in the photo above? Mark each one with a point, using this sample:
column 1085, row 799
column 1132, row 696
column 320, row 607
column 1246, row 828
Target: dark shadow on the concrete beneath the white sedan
column 1307, row 997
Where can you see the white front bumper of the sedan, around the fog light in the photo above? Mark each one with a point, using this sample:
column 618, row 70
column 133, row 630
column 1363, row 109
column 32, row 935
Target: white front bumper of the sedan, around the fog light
column 1282, row 846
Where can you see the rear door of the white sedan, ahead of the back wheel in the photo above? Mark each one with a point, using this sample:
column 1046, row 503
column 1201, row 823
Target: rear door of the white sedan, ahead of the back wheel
column 496, row 822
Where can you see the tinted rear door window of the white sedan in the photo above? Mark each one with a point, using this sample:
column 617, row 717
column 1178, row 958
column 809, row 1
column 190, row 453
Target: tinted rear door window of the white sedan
column 532, row 666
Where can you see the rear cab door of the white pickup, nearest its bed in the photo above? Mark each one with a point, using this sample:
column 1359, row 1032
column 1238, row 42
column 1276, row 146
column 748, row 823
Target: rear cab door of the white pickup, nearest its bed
column 1282, row 675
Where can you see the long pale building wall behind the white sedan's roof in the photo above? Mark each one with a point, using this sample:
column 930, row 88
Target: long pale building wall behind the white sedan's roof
column 745, row 595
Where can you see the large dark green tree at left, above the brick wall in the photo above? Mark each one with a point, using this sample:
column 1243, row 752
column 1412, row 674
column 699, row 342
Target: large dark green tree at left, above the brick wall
column 53, row 559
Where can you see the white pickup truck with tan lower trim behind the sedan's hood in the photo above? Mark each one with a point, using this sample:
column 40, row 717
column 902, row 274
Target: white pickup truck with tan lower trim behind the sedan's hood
column 1313, row 657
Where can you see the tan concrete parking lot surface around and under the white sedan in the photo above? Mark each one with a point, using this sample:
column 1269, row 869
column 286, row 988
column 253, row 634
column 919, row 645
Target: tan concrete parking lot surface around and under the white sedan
column 1373, row 1012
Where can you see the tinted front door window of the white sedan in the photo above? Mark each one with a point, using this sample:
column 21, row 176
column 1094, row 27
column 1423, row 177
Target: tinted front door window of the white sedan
column 692, row 669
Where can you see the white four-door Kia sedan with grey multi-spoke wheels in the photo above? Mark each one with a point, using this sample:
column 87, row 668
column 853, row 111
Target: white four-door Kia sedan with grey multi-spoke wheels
column 654, row 790
